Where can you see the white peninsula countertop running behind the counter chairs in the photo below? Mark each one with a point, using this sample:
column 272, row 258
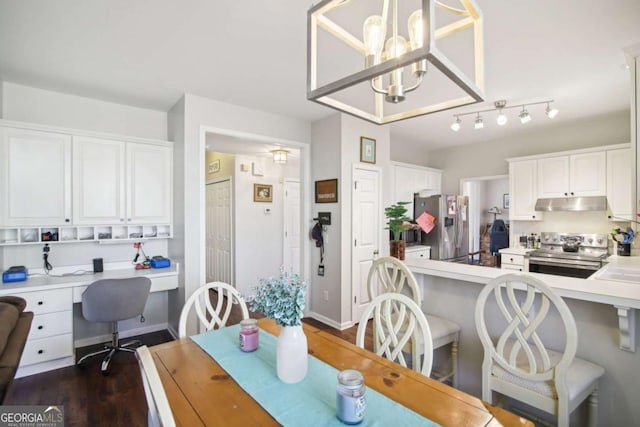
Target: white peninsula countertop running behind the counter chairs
column 614, row 292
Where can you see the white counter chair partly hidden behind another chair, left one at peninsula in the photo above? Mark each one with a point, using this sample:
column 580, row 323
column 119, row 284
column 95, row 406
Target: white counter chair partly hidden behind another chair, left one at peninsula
column 389, row 274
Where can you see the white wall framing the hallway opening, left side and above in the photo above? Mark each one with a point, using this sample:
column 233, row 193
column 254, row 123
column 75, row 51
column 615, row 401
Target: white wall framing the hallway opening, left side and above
column 189, row 132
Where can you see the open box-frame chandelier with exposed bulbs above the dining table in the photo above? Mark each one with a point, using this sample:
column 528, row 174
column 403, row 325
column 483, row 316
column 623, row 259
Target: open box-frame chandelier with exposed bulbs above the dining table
column 394, row 71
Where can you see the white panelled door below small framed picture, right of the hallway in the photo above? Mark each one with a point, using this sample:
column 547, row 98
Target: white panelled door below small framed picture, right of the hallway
column 366, row 232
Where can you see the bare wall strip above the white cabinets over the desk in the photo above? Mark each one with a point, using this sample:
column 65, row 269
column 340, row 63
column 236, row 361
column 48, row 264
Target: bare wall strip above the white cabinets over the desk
column 28, row 104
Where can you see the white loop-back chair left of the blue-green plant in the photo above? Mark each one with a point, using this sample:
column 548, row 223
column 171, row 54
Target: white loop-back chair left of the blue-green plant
column 211, row 317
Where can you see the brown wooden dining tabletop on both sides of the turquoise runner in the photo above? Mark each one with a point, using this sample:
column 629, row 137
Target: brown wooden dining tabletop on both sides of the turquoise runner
column 201, row 393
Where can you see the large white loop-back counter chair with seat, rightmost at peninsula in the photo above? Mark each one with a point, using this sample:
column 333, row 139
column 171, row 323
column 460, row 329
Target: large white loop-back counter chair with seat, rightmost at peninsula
column 518, row 364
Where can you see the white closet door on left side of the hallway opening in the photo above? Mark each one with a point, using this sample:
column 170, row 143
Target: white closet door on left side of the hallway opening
column 219, row 232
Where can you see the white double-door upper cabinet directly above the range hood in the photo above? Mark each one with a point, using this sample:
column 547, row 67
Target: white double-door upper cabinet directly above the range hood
column 575, row 175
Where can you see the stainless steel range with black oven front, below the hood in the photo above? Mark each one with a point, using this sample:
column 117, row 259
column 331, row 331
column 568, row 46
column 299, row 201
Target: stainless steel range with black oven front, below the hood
column 569, row 254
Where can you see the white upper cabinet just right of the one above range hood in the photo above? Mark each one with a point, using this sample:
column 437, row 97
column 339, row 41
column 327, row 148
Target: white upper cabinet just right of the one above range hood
column 619, row 185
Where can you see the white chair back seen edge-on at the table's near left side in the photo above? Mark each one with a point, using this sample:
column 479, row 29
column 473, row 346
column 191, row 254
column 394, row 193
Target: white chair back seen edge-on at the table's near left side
column 160, row 414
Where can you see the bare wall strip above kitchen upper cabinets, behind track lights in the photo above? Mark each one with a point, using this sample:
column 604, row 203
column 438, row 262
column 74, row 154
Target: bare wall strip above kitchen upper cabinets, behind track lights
column 488, row 159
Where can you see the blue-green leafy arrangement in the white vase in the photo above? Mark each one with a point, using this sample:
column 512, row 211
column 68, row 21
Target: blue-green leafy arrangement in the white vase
column 280, row 298
